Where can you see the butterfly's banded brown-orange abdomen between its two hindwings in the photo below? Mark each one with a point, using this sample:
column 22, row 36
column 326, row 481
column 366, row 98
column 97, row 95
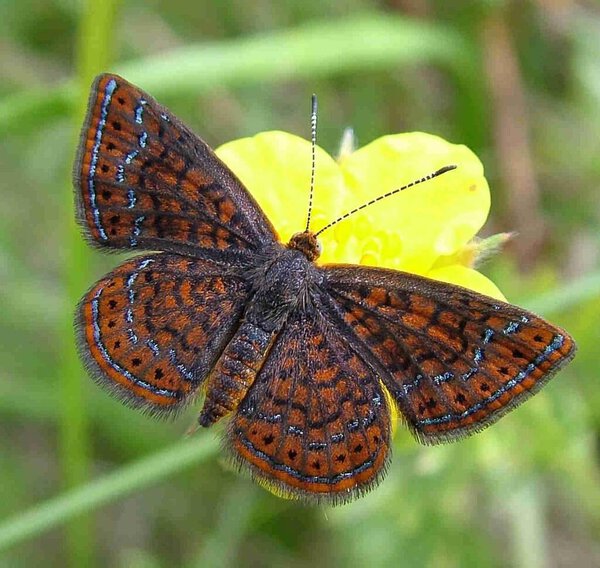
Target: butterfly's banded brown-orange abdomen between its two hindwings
column 235, row 371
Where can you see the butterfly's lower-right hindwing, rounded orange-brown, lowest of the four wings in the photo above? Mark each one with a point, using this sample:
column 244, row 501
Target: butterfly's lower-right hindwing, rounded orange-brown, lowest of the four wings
column 315, row 424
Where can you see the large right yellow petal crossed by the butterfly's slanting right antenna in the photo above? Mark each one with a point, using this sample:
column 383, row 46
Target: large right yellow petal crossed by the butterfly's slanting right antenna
column 421, row 223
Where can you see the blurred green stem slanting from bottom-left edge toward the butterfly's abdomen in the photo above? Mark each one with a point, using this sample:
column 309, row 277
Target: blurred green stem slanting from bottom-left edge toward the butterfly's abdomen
column 110, row 488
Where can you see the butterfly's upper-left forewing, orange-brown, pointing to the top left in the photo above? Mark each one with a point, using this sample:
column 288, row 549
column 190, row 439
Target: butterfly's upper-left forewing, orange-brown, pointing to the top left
column 145, row 181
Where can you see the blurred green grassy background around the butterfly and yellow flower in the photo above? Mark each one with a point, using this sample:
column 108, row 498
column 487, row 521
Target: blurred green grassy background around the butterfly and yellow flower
column 86, row 482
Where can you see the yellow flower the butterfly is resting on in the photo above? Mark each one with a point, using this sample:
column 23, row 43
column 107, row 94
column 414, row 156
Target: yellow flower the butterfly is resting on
column 427, row 229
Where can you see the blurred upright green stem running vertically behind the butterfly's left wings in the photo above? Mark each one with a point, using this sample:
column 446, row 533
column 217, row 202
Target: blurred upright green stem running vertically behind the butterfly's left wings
column 93, row 55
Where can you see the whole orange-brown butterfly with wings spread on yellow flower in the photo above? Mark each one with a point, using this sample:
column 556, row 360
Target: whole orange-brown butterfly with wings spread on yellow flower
column 305, row 360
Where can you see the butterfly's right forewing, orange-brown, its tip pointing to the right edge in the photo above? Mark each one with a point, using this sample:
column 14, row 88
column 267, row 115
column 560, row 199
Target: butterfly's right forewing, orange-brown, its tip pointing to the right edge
column 453, row 360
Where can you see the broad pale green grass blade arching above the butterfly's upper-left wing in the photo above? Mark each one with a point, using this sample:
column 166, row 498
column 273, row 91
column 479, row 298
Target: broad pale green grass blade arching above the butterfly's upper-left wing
column 308, row 51
